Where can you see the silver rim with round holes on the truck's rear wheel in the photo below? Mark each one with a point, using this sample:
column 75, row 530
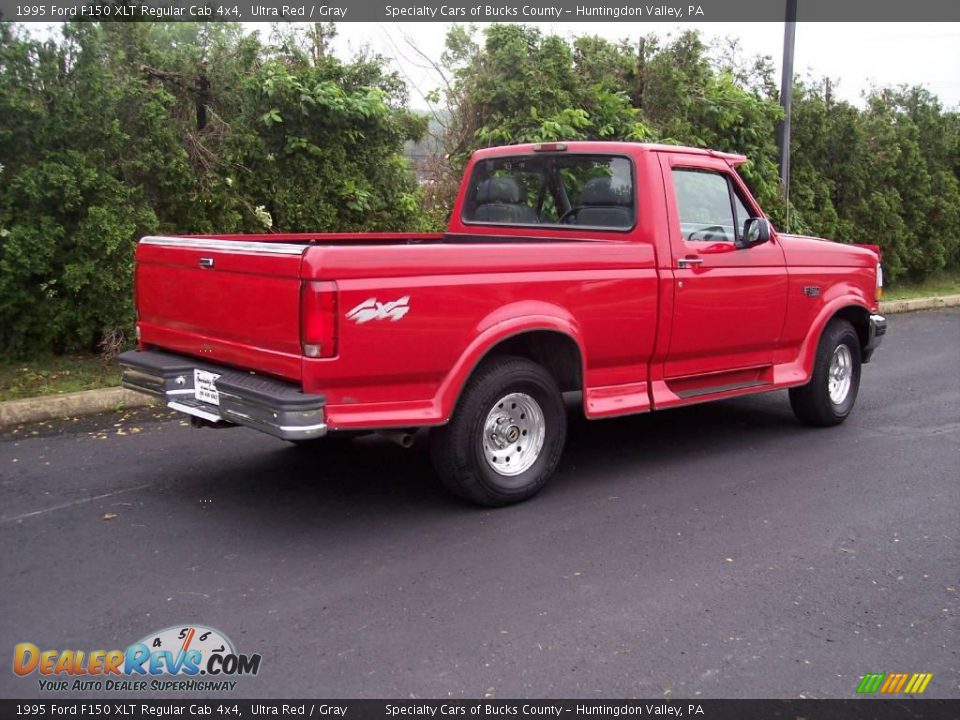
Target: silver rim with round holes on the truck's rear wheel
column 513, row 434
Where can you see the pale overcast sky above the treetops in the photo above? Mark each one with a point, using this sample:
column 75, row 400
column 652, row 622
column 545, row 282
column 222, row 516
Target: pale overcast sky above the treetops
column 858, row 55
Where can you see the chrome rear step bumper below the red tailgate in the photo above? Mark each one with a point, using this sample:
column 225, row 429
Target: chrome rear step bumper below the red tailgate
column 272, row 406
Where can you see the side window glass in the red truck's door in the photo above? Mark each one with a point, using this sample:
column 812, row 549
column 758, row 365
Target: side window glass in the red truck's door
column 705, row 205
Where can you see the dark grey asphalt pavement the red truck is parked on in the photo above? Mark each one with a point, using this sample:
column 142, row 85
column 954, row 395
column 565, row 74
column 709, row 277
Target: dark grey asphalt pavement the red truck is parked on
column 716, row 551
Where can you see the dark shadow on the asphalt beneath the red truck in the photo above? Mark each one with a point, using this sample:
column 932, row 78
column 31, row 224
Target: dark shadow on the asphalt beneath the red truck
column 372, row 476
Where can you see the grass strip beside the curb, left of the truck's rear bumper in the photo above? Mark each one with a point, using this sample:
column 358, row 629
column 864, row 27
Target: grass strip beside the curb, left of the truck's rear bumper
column 55, row 375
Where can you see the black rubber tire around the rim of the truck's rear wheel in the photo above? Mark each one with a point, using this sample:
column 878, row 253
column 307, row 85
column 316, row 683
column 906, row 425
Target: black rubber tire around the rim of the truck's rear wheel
column 457, row 448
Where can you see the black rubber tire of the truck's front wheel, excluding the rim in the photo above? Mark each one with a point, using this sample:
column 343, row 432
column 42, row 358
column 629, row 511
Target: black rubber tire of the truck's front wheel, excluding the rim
column 812, row 403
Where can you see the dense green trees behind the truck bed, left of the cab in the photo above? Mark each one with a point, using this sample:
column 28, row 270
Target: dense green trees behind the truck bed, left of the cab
column 112, row 131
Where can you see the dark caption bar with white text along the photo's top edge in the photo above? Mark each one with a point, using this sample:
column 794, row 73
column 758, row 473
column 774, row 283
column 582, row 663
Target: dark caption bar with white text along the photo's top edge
column 577, row 11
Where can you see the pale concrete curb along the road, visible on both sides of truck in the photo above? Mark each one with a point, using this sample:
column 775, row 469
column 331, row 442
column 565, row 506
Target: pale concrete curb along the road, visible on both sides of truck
column 16, row 412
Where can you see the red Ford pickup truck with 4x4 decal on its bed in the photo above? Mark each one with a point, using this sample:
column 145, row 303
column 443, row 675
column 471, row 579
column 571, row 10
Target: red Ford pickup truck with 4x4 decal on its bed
column 643, row 276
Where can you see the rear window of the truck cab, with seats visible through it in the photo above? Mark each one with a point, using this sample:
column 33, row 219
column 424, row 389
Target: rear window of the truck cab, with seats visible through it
column 558, row 190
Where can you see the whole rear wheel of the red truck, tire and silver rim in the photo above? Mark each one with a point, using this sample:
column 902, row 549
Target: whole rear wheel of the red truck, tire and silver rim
column 506, row 435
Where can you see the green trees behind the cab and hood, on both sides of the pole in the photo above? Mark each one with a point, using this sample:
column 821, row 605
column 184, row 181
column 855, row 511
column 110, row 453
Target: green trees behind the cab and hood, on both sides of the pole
column 885, row 174
